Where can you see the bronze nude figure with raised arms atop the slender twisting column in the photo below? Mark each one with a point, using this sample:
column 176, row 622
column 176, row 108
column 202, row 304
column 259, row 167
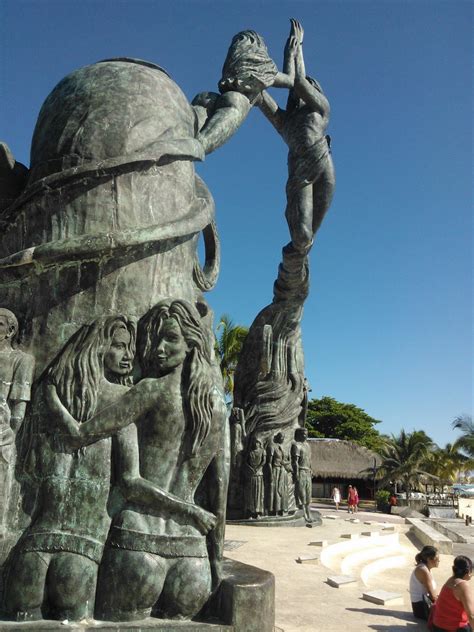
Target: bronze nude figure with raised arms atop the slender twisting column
column 302, row 125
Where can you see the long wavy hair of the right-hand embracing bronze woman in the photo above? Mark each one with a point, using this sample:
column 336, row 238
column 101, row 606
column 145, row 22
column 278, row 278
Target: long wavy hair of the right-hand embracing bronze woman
column 197, row 383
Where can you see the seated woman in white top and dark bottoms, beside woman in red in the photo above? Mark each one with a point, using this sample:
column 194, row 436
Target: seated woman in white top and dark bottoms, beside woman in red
column 422, row 584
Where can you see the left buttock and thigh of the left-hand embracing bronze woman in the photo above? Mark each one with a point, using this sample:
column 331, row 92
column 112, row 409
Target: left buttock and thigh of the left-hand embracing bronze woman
column 25, row 586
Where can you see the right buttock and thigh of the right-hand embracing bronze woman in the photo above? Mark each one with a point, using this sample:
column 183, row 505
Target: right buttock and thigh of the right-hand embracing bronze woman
column 186, row 589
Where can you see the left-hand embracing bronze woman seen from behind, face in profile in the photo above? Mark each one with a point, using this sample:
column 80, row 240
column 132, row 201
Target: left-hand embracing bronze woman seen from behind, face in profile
column 54, row 568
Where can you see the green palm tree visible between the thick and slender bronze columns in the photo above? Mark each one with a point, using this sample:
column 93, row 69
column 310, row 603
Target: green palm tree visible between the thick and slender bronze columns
column 229, row 341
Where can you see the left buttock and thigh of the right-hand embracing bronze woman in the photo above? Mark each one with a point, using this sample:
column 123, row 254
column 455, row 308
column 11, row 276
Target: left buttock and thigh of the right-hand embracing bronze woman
column 130, row 583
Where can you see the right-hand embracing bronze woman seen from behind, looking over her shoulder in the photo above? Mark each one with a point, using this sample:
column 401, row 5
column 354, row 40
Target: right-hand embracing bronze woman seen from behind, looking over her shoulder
column 157, row 561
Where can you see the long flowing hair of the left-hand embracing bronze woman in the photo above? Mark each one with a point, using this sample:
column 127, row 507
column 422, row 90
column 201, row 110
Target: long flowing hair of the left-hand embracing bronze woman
column 77, row 371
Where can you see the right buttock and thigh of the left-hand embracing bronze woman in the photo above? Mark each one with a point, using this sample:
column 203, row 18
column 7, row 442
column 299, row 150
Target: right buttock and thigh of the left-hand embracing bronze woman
column 70, row 586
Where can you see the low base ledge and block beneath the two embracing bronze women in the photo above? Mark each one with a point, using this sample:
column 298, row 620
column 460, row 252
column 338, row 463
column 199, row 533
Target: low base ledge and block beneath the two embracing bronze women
column 245, row 602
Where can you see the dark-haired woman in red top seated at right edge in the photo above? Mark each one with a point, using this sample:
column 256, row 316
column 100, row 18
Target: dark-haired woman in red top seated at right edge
column 454, row 609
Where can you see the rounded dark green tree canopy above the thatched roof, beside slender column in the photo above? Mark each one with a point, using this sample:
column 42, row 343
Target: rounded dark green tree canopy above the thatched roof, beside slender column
column 327, row 417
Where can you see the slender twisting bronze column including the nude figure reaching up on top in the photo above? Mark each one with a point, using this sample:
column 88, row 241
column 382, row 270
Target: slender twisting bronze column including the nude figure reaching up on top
column 270, row 387
